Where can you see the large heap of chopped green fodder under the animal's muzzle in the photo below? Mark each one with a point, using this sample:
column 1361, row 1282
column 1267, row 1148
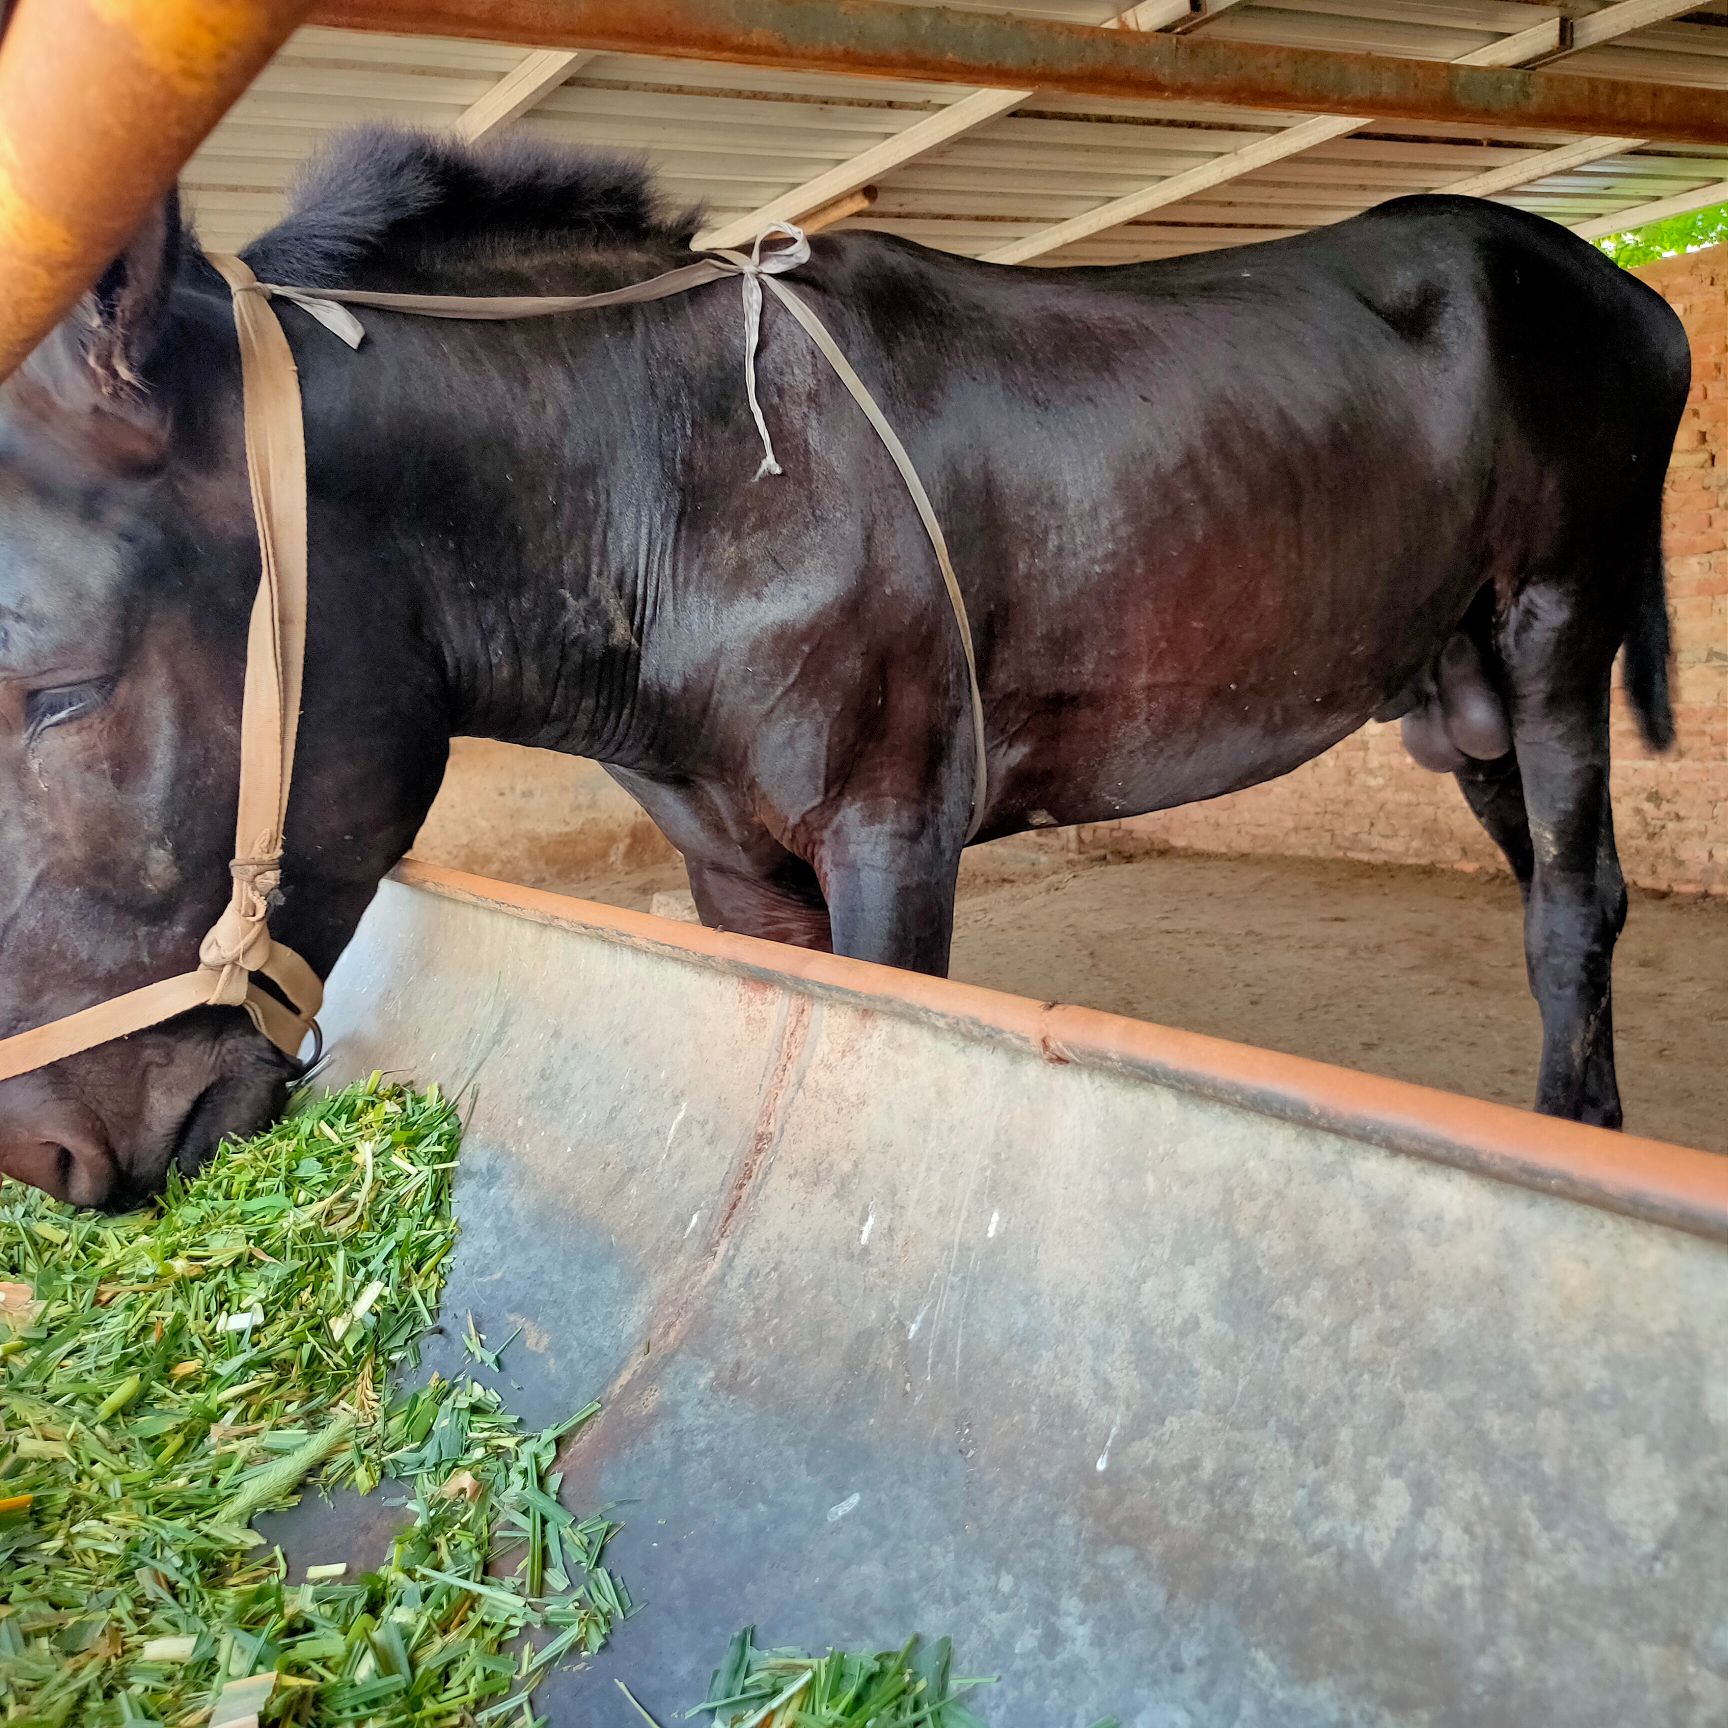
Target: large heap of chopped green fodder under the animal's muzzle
column 168, row 1376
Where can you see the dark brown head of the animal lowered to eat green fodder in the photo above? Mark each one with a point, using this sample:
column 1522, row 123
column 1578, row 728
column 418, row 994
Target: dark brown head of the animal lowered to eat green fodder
column 129, row 562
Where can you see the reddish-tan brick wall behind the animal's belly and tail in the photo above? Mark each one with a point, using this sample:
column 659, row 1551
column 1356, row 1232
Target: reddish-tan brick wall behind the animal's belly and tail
column 1366, row 799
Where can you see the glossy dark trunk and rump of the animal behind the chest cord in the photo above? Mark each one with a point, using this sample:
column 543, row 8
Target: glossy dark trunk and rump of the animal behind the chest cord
column 1216, row 512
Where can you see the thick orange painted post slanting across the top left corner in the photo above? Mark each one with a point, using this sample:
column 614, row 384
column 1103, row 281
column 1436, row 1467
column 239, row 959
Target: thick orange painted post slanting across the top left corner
column 101, row 105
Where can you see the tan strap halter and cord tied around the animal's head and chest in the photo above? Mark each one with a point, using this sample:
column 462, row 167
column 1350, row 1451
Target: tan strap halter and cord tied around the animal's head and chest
column 239, row 948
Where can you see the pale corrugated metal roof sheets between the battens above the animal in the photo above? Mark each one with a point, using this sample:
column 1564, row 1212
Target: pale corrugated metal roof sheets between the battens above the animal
column 737, row 137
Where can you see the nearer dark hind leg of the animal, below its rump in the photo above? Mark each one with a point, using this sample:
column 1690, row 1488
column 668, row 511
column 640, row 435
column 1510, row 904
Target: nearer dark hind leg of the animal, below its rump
column 1558, row 661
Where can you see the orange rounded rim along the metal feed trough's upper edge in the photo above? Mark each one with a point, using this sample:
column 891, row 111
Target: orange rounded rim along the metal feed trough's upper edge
column 1672, row 1186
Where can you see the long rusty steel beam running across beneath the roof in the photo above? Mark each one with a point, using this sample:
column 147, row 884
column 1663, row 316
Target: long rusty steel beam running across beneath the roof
column 981, row 49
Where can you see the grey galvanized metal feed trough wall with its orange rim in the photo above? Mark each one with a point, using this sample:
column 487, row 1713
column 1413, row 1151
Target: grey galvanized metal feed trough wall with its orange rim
column 1171, row 1395
